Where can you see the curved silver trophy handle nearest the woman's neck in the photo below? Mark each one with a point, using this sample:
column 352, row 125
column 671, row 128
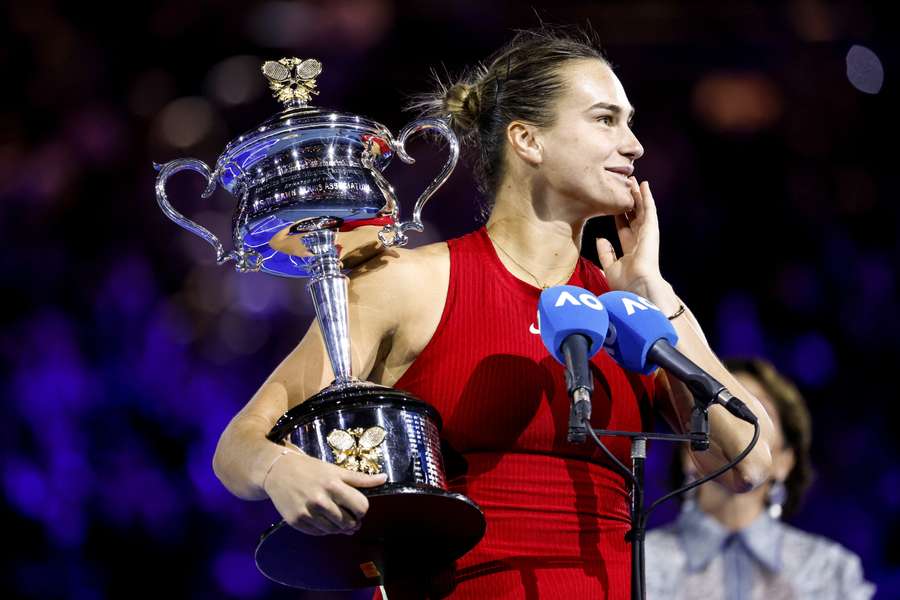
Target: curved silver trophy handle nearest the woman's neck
column 395, row 233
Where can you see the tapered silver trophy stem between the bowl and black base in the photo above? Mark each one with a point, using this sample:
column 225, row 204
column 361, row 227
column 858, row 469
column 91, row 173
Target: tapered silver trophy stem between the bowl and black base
column 328, row 287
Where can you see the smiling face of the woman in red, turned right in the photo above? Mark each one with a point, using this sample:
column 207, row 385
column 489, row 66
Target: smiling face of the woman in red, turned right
column 589, row 151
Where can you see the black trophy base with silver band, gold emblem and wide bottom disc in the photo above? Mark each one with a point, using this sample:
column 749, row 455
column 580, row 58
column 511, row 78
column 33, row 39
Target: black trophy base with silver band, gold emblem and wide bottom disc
column 414, row 525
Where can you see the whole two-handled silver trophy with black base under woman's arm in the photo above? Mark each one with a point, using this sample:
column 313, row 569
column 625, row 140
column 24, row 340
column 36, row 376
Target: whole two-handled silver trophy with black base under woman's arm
column 300, row 177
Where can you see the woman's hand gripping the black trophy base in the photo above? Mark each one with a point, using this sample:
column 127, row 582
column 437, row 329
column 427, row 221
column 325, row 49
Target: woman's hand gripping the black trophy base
column 316, row 497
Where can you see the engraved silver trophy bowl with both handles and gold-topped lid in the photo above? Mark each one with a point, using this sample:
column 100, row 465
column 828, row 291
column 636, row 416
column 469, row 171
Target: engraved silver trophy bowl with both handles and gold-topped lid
column 302, row 163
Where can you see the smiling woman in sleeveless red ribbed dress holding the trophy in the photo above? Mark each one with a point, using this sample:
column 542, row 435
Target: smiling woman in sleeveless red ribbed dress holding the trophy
column 549, row 125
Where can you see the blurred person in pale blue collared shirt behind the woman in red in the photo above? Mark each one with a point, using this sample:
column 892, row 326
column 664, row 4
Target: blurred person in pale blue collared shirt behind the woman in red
column 735, row 546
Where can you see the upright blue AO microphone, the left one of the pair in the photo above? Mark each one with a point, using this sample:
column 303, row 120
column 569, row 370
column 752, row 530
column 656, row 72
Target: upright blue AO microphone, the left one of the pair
column 573, row 326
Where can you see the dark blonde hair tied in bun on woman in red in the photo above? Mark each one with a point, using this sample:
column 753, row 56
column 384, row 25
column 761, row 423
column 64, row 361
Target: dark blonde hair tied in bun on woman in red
column 519, row 82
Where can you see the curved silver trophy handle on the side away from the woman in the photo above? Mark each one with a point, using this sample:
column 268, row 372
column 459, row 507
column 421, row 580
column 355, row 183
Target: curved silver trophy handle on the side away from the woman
column 244, row 260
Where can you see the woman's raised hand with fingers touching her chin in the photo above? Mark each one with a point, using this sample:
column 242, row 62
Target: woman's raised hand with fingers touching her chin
column 638, row 267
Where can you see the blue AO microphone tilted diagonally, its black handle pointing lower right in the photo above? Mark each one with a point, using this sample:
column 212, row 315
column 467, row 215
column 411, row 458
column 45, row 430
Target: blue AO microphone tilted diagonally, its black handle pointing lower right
column 641, row 339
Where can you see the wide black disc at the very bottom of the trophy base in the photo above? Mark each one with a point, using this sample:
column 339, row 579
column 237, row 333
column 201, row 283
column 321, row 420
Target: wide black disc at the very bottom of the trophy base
column 408, row 530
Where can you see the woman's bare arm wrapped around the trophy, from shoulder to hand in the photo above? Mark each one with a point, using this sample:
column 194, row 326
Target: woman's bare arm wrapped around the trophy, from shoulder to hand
column 312, row 495
